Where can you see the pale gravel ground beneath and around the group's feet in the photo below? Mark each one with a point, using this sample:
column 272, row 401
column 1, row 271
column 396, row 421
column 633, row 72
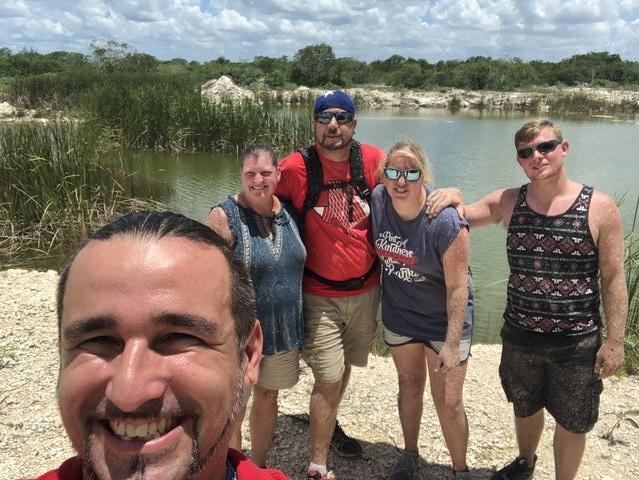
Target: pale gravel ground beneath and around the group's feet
column 32, row 439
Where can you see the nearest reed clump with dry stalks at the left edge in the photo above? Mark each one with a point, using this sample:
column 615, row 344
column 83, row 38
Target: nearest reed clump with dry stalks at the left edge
column 56, row 189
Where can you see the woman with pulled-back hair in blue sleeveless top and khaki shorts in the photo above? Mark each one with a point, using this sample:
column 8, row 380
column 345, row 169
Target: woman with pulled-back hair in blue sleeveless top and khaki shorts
column 264, row 237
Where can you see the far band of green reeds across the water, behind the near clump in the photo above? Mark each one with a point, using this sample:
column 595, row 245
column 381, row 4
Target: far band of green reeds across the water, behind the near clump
column 160, row 111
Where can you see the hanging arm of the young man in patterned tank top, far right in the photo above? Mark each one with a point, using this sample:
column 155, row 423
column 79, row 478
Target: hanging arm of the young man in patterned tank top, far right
column 606, row 225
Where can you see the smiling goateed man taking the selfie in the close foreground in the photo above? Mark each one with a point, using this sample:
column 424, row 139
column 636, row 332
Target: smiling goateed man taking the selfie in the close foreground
column 158, row 339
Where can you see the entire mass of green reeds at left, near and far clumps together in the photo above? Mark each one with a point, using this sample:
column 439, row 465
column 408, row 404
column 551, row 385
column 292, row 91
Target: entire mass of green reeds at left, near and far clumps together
column 55, row 183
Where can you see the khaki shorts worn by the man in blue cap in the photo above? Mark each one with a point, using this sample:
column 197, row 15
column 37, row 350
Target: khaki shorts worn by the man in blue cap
column 338, row 331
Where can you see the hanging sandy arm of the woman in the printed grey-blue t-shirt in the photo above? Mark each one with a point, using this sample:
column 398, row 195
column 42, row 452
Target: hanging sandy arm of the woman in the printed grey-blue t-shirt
column 455, row 262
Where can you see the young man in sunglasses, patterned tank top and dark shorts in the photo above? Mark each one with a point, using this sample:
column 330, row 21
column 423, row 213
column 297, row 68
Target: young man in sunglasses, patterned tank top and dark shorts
column 565, row 250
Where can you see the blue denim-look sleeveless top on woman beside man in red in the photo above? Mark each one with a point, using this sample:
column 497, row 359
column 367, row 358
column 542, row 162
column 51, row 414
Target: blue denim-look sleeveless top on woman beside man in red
column 276, row 267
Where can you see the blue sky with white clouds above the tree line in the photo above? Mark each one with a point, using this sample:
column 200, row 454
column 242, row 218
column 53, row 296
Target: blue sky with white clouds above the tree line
column 364, row 29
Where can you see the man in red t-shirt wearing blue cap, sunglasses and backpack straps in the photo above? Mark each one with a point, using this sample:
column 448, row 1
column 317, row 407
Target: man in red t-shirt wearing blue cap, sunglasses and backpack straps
column 341, row 281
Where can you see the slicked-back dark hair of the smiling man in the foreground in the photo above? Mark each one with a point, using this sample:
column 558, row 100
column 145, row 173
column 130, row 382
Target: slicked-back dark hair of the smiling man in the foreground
column 147, row 224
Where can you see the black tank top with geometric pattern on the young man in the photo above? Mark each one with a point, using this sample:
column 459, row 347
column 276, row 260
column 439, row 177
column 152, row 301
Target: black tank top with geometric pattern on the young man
column 553, row 285
